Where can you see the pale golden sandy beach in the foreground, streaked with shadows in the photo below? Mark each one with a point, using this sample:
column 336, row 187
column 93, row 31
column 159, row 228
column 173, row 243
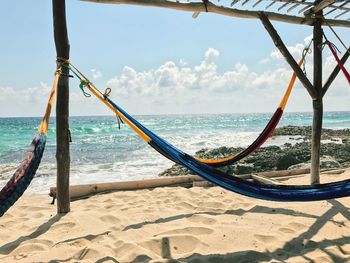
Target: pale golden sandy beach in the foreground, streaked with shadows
column 175, row 224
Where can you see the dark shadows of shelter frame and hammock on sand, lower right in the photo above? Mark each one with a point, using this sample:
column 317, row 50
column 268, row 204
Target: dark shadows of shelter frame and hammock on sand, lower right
column 298, row 246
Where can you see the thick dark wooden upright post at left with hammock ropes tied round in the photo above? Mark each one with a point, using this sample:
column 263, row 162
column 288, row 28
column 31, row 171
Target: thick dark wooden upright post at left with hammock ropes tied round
column 62, row 108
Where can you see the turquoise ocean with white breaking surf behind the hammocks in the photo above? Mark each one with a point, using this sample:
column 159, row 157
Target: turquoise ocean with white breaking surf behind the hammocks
column 100, row 152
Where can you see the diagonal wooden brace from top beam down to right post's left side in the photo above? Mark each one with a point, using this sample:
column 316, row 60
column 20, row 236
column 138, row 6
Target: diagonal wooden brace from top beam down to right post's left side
column 283, row 49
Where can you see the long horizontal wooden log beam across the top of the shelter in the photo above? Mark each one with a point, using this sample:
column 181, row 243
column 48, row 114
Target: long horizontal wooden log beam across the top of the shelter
column 222, row 10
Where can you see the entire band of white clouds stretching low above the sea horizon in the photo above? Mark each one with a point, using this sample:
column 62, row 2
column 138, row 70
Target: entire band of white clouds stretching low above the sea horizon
column 176, row 87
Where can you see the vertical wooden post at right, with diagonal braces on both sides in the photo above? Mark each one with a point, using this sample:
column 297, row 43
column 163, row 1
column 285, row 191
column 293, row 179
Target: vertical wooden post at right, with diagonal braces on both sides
column 317, row 103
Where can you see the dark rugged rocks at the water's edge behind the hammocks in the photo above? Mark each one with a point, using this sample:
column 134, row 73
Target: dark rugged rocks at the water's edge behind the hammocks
column 335, row 153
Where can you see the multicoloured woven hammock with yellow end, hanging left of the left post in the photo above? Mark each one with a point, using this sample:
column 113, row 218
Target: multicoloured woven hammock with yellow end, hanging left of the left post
column 23, row 176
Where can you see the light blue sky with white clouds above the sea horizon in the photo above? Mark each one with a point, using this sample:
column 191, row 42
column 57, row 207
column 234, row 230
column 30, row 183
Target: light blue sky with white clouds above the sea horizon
column 156, row 61
